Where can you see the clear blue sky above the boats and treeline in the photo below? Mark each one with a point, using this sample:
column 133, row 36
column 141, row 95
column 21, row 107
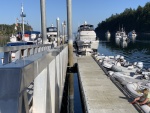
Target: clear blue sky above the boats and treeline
column 92, row 11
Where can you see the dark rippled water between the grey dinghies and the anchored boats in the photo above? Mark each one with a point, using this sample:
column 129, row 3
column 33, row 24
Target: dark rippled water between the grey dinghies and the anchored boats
column 133, row 50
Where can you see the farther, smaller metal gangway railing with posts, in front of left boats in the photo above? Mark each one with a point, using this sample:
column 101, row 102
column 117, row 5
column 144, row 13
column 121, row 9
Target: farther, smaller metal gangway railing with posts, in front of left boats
column 21, row 51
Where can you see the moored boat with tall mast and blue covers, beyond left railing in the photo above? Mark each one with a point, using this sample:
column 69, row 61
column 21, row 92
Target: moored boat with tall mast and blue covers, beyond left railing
column 24, row 38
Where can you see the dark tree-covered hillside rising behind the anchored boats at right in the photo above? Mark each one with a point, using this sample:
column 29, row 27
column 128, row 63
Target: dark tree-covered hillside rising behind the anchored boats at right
column 131, row 19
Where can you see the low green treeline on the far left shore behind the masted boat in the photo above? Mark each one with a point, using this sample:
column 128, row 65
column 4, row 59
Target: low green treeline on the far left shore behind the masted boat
column 7, row 30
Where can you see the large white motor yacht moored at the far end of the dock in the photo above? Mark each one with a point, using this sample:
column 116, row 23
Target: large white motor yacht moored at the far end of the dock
column 86, row 40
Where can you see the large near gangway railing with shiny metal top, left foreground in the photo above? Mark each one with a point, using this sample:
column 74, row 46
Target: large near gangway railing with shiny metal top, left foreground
column 34, row 84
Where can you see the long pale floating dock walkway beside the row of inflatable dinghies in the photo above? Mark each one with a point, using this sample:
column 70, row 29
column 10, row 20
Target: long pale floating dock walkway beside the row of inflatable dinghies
column 99, row 93
